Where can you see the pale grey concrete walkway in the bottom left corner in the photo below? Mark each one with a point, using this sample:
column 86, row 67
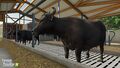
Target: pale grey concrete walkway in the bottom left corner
column 5, row 59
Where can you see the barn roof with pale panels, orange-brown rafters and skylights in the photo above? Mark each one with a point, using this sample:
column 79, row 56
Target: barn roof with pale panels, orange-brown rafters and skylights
column 94, row 9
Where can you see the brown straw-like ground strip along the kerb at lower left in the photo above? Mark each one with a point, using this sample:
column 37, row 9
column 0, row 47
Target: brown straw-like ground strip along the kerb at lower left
column 26, row 58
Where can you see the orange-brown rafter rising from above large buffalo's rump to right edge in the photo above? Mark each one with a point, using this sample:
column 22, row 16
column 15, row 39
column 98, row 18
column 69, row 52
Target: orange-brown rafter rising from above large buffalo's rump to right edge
column 115, row 7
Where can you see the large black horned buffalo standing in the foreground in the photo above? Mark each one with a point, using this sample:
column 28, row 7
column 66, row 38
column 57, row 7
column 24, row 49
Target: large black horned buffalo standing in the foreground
column 76, row 34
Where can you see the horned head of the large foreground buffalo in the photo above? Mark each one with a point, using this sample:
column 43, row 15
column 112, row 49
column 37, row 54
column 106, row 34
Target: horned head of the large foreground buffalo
column 46, row 23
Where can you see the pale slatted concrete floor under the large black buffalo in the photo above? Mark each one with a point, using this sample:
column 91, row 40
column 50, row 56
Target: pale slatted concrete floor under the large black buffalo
column 110, row 61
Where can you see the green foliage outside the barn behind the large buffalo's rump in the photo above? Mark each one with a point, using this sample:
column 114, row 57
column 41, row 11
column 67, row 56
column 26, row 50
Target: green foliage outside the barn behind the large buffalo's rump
column 112, row 22
